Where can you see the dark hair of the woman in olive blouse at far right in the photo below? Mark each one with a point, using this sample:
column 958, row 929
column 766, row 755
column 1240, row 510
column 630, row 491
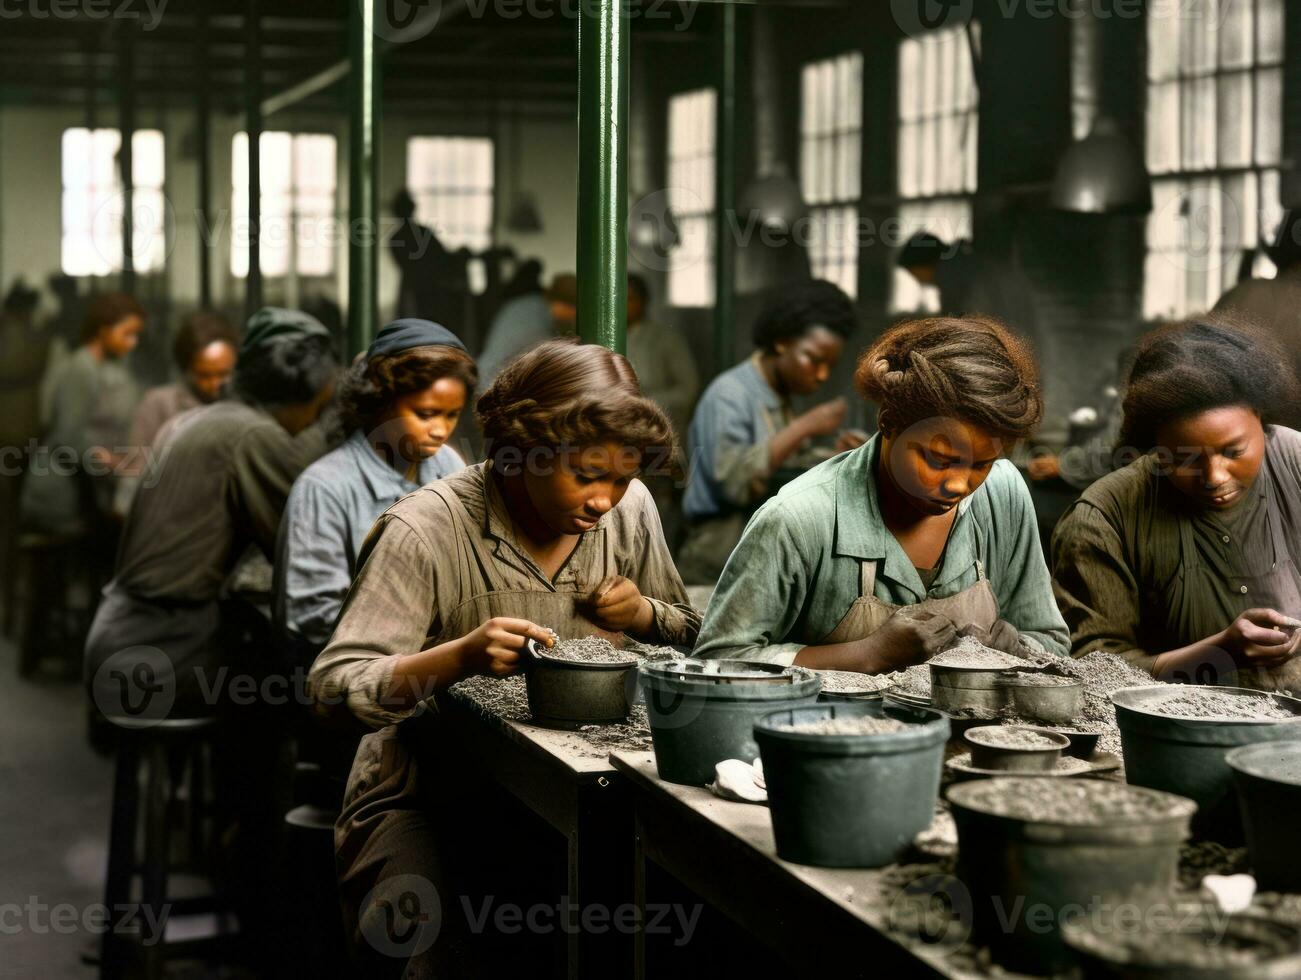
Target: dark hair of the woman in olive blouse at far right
column 1205, row 364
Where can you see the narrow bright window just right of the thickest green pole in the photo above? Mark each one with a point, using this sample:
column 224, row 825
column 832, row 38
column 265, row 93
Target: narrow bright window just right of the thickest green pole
column 691, row 197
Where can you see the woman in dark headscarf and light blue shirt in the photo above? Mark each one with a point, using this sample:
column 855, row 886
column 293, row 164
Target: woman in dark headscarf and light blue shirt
column 404, row 402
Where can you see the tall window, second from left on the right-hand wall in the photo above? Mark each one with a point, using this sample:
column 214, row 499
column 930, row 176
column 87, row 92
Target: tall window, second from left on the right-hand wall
column 831, row 159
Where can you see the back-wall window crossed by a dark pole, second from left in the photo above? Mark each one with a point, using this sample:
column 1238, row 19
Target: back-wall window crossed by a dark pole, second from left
column 299, row 231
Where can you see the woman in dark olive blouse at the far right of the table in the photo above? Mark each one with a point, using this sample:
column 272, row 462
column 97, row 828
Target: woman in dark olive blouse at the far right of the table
column 1186, row 562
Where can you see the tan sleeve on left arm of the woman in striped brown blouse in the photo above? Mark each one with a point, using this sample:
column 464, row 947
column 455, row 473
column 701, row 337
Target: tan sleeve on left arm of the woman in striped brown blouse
column 388, row 614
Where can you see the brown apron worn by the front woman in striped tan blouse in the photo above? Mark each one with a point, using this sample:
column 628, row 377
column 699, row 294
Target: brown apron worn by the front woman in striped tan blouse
column 388, row 827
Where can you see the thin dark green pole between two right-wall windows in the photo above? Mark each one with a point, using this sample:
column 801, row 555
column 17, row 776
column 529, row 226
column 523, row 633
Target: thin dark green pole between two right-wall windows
column 725, row 192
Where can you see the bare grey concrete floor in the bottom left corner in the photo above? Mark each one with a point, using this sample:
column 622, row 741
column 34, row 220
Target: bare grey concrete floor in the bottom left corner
column 55, row 800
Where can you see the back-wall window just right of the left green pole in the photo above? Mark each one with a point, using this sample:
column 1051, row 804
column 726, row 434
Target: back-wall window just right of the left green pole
column 452, row 182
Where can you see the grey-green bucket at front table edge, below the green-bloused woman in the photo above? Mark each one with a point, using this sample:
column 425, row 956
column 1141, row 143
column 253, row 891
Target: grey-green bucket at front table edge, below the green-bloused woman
column 852, row 801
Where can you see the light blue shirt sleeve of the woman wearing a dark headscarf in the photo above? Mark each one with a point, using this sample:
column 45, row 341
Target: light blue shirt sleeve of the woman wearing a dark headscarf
column 313, row 562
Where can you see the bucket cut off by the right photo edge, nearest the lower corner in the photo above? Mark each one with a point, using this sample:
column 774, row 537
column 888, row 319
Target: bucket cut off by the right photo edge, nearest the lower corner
column 1268, row 778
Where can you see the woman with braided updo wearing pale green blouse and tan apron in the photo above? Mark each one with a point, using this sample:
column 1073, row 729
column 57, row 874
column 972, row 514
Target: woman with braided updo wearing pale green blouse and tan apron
column 880, row 558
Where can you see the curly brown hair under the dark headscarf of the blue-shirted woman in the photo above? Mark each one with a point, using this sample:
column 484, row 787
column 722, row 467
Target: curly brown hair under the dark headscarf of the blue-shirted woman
column 370, row 387
